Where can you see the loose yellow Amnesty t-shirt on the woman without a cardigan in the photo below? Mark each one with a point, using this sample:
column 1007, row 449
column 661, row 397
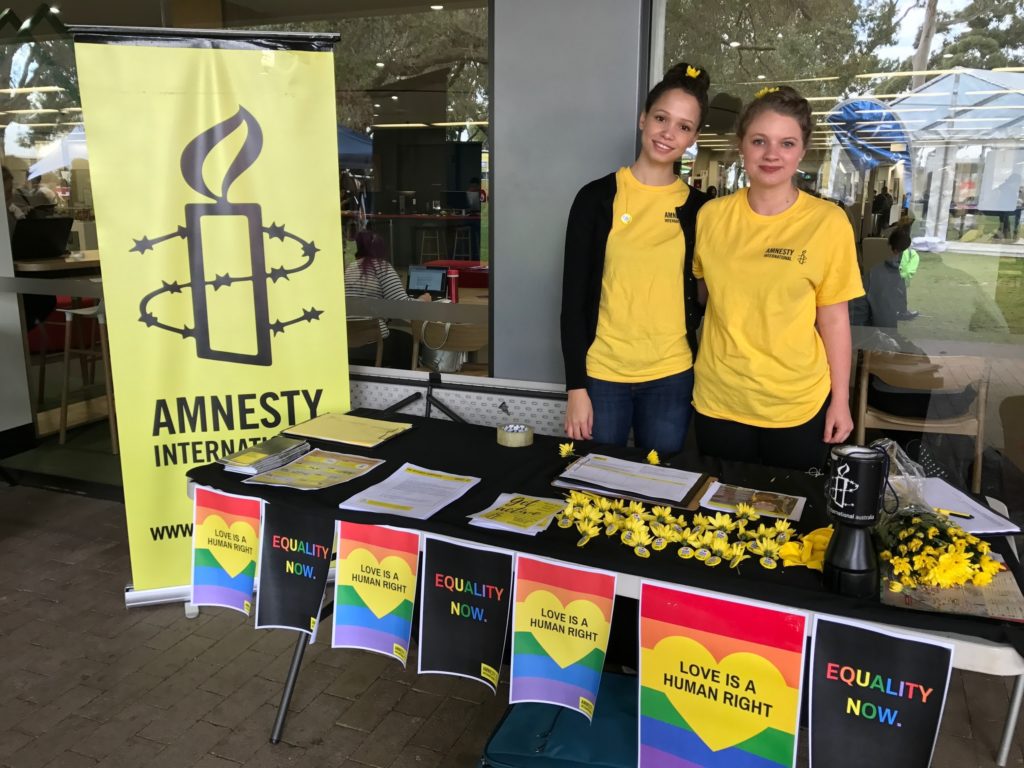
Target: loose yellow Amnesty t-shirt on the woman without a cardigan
column 761, row 360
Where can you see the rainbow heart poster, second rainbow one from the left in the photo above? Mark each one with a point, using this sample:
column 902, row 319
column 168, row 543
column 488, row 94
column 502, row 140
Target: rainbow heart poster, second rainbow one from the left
column 376, row 586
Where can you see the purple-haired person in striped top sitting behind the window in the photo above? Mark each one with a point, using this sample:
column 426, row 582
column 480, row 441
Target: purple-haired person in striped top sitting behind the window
column 372, row 276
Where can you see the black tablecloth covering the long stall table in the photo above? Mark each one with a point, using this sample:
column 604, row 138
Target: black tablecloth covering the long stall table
column 474, row 451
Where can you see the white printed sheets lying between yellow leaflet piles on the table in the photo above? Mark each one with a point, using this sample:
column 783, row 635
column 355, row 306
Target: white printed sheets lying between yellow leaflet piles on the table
column 412, row 492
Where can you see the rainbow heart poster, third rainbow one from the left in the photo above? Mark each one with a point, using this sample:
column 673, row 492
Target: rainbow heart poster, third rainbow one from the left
column 562, row 620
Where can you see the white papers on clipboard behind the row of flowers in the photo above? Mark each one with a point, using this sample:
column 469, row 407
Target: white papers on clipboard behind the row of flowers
column 649, row 481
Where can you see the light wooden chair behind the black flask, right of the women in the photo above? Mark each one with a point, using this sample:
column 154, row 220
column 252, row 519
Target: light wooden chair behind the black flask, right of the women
column 926, row 373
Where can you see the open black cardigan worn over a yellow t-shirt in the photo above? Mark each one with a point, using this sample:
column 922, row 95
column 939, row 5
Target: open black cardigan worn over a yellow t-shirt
column 586, row 239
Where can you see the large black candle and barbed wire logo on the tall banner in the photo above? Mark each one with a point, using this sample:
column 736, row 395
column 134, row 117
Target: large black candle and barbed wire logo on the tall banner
column 199, row 270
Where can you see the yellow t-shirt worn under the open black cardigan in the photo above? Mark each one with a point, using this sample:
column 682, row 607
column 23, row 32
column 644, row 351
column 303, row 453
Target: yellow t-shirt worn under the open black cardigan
column 642, row 327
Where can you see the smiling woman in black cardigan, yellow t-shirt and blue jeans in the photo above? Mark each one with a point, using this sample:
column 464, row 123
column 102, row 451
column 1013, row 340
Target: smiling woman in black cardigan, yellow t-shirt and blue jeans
column 630, row 309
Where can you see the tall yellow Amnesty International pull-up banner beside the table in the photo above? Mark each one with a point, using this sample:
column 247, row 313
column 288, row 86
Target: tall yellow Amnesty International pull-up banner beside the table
column 216, row 183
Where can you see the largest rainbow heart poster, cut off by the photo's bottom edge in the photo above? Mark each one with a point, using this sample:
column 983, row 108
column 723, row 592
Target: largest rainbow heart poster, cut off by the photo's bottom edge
column 720, row 681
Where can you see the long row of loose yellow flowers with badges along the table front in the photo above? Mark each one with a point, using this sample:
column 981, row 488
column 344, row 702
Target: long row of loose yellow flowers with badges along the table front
column 710, row 539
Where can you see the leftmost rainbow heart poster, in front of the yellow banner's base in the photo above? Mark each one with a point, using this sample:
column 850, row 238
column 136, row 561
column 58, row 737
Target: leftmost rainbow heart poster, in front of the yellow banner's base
column 227, row 534
